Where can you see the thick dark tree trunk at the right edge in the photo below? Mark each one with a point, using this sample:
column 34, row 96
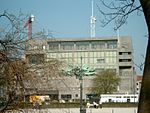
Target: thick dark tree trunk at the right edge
column 144, row 102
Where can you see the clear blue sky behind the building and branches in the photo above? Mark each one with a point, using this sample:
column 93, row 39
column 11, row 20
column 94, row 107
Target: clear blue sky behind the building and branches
column 71, row 18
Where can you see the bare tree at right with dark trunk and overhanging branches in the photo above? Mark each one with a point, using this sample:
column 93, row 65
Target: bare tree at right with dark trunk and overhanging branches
column 119, row 11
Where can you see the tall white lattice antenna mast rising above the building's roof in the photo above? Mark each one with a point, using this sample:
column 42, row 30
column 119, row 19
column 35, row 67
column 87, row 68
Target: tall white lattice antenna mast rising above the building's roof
column 93, row 22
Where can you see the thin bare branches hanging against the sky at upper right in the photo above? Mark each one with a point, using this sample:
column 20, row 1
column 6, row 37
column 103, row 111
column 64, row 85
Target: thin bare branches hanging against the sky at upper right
column 117, row 11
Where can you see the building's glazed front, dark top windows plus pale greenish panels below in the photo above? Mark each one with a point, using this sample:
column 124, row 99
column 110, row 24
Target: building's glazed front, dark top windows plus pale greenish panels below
column 95, row 53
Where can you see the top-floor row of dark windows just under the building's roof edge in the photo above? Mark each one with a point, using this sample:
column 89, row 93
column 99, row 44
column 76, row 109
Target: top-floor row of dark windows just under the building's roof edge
column 82, row 45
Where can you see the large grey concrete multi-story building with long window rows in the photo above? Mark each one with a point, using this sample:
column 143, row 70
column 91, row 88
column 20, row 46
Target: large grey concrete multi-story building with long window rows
column 99, row 53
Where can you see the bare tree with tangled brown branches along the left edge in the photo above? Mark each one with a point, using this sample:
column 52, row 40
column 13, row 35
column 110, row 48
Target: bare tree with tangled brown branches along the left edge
column 15, row 79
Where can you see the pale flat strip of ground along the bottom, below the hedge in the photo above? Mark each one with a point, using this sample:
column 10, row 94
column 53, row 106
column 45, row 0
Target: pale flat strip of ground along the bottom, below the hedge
column 77, row 110
